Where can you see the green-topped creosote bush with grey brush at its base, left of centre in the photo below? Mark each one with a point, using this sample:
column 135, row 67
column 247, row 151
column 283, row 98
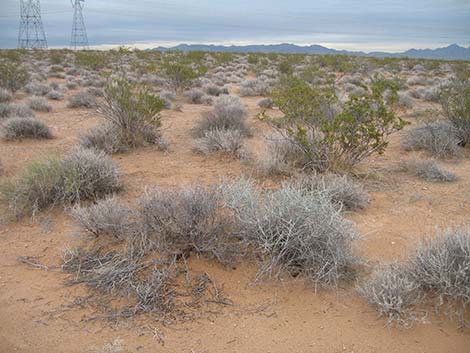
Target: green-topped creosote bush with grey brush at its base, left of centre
column 132, row 119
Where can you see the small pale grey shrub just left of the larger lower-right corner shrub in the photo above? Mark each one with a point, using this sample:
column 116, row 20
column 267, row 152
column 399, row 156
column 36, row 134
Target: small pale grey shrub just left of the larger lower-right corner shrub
column 394, row 292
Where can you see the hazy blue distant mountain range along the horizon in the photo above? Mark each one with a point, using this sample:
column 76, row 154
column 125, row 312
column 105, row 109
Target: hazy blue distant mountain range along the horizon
column 452, row 52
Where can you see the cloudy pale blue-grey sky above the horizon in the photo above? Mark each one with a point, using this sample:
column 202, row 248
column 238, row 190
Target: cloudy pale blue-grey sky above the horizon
column 391, row 25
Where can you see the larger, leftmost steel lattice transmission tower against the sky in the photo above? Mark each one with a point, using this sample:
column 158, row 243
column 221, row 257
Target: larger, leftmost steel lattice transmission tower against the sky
column 31, row 34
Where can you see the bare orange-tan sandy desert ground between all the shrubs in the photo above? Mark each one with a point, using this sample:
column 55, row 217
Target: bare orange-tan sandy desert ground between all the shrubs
column 40, row 313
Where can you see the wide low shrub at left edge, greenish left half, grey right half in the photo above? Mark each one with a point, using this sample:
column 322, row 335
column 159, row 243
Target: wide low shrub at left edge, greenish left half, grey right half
column 80, row 175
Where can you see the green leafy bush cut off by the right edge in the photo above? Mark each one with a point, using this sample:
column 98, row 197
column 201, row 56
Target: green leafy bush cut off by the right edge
column 455, row 100
